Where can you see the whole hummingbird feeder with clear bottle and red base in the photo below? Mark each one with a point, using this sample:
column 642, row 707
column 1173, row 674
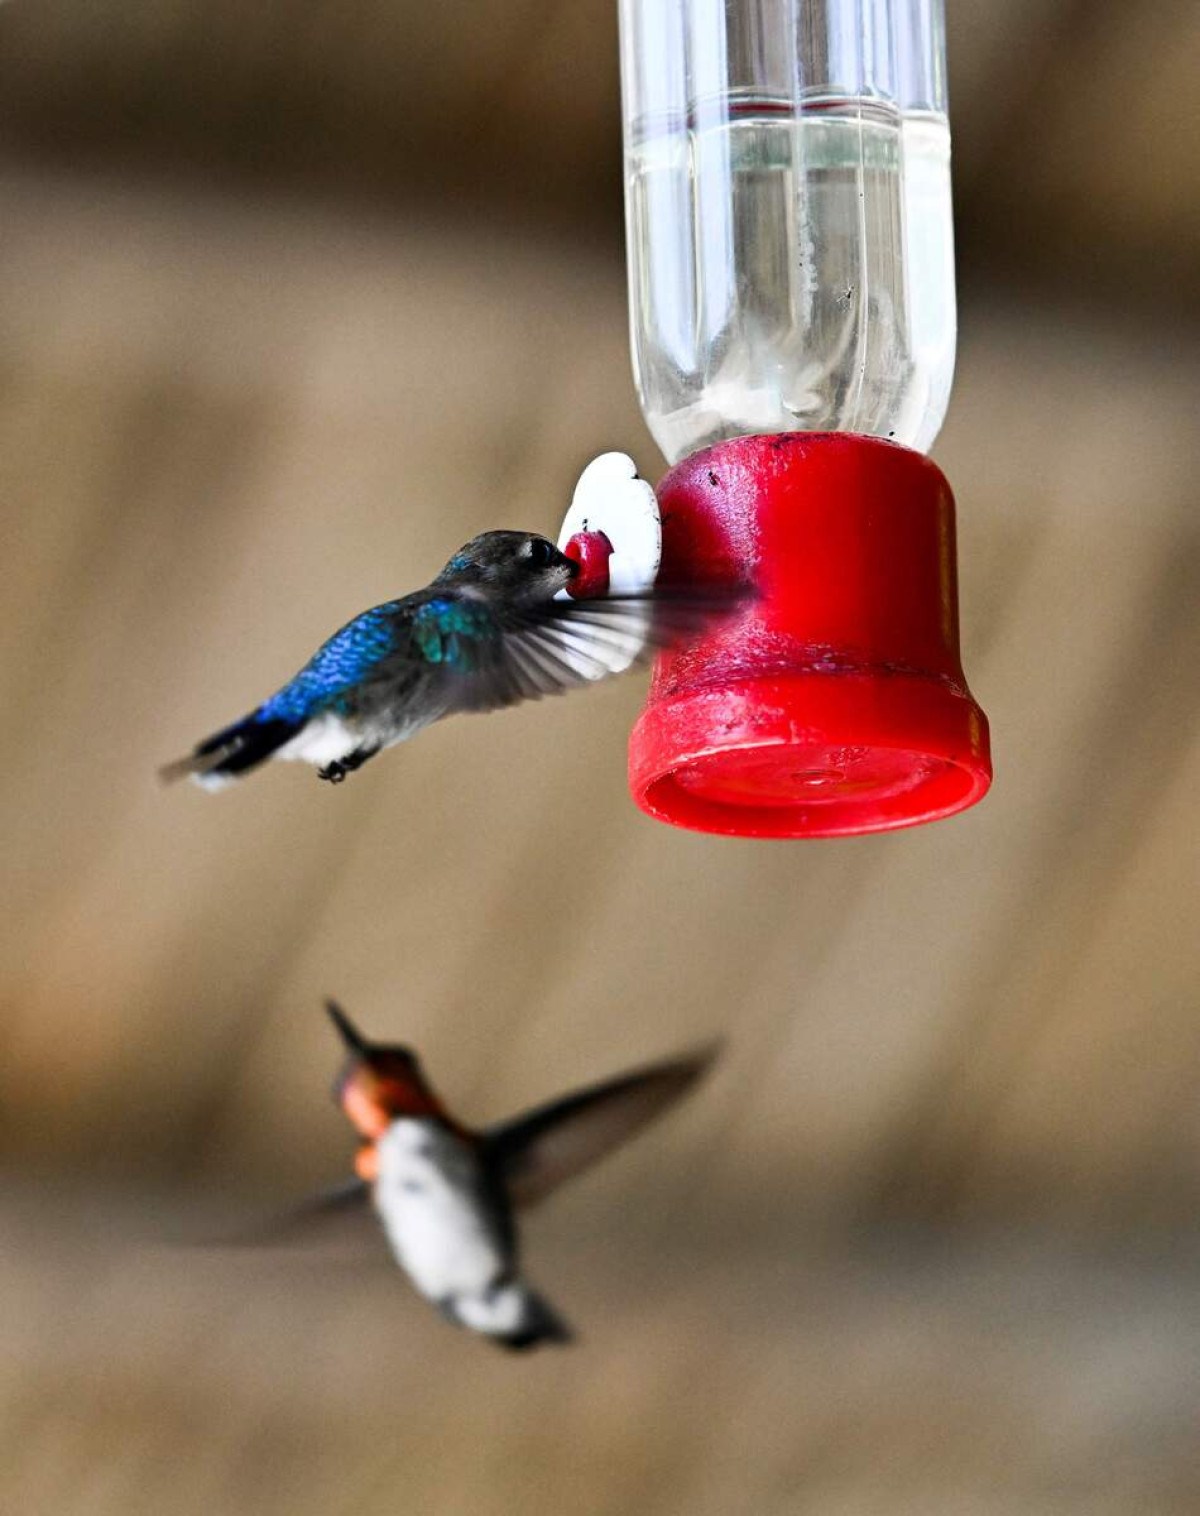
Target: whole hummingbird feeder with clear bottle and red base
column 792, row 287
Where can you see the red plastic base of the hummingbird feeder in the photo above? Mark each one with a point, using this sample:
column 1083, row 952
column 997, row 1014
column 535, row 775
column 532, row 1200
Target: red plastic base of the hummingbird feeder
column 836, row 704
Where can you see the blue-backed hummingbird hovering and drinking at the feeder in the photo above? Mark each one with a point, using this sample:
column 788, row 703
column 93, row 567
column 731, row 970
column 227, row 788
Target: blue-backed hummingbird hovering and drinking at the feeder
column 492, row 630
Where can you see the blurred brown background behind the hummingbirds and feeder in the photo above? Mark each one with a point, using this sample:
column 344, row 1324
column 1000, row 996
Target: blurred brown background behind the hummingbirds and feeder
column 295, row 298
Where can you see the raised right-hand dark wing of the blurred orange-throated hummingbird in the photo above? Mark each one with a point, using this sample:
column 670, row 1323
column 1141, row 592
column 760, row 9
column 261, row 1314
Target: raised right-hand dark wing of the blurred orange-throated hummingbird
column 537, row 1151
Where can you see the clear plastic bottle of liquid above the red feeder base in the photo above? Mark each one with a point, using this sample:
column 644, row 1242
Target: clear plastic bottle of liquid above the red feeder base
column 792, row 257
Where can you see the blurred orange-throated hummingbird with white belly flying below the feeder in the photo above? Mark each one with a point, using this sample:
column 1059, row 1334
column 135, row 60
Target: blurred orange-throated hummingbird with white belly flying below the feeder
column 446, row 1194
